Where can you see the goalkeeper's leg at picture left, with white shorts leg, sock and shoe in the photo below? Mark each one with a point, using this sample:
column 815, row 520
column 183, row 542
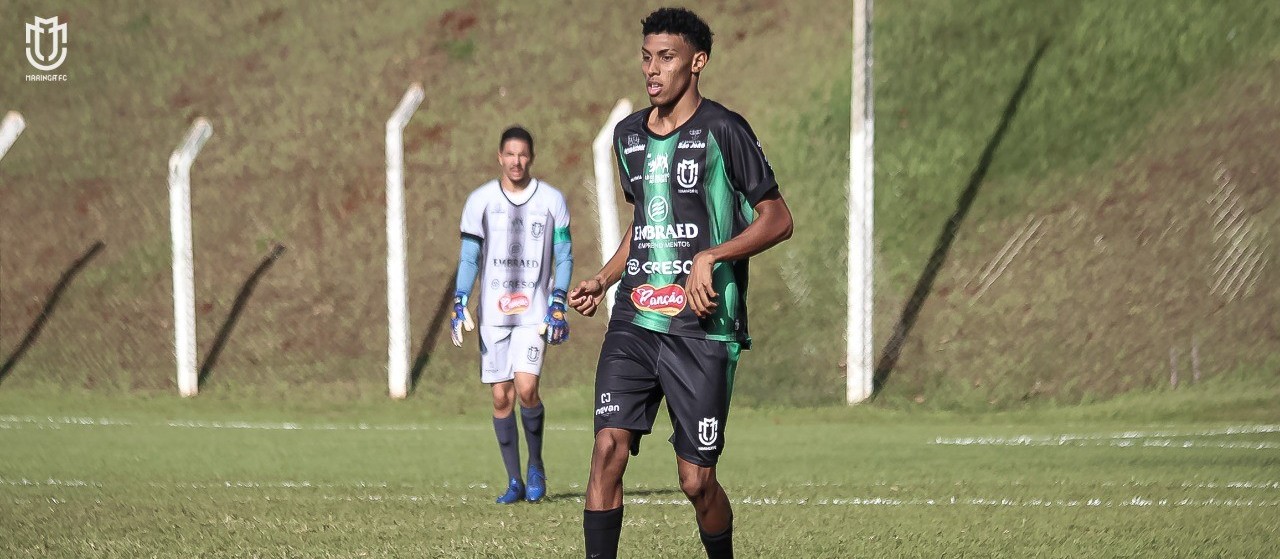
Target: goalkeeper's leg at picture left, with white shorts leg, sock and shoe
column 497, row 373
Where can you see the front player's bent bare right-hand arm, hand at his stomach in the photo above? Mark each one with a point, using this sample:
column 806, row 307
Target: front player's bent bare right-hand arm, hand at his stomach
column 772, row 226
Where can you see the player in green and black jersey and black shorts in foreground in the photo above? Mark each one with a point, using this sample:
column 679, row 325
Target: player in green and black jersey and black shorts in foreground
column 705, row 200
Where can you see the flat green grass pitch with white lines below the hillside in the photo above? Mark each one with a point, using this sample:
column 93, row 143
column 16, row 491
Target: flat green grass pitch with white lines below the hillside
column 1190, row 475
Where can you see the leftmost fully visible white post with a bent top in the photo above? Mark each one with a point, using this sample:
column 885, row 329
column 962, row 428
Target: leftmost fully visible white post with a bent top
column 184, row 260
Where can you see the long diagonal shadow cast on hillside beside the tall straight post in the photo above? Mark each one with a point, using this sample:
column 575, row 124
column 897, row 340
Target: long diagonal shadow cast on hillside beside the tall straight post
column 925, row 286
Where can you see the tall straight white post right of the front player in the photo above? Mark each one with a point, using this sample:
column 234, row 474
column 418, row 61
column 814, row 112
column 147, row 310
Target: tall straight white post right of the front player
column 860, row 358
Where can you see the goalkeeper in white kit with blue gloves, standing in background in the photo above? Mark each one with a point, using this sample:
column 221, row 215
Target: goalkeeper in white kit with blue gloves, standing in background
column 513, row 230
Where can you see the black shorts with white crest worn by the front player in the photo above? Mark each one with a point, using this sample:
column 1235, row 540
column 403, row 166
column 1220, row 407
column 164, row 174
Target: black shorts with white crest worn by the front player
column 638, row 368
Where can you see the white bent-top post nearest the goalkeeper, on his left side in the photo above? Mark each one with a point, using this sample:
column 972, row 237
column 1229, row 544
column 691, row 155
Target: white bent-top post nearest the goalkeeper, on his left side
column 397, row 276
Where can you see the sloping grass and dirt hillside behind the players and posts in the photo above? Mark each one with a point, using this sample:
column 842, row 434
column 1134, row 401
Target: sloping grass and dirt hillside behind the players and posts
column 1128, row 121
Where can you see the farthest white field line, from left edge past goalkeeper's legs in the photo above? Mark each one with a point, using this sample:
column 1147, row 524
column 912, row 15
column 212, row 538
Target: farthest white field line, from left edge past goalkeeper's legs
column 57, row 423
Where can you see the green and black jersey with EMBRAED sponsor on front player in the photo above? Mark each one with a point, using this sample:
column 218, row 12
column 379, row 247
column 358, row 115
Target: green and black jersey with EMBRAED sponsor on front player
column 693, row 190
